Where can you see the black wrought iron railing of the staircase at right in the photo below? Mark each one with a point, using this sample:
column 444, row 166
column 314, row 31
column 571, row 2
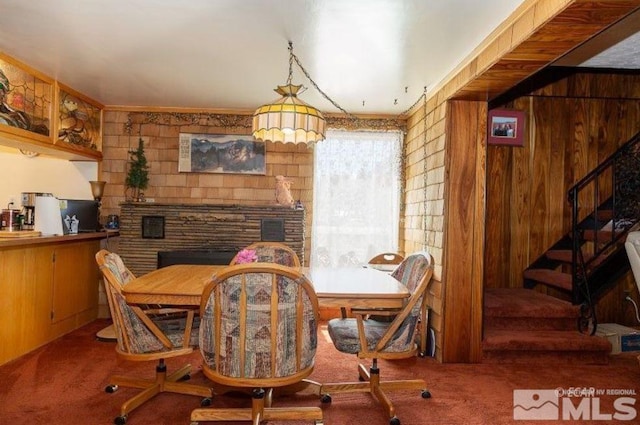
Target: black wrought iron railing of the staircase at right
column 604, row 206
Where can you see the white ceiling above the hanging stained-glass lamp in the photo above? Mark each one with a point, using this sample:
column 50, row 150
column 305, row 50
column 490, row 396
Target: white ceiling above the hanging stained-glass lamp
column 231, row 54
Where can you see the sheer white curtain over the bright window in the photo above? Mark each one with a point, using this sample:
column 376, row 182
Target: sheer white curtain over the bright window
column 356, row 203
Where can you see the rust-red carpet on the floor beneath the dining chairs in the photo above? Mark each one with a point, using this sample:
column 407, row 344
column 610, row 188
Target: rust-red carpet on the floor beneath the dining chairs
column 63, row 383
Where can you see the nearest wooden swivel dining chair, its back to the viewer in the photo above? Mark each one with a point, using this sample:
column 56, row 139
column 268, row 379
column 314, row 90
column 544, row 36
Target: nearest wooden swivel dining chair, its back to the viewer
column 258, row 332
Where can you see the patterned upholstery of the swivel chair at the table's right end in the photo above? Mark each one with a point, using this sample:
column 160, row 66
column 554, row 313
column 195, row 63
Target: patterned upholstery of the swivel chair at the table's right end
column 344, row 332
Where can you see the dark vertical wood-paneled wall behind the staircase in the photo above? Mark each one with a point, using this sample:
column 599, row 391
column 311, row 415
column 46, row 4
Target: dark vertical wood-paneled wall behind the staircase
column 571, row 126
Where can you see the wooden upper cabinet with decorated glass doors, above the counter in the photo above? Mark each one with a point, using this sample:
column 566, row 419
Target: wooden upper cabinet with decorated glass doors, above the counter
column 40, row 116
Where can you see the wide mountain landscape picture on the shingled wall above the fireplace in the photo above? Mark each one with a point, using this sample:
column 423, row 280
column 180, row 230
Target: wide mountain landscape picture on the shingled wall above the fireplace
column 221, row 153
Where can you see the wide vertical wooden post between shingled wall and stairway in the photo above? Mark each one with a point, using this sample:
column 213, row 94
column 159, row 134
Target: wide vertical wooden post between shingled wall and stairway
column 464, row 230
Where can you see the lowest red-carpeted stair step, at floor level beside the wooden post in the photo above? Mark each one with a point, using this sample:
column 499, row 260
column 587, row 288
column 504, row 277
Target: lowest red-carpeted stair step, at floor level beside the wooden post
column 506, row 346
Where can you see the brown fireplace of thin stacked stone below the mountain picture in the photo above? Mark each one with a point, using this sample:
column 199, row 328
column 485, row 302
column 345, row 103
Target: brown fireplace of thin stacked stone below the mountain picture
column 202, row 233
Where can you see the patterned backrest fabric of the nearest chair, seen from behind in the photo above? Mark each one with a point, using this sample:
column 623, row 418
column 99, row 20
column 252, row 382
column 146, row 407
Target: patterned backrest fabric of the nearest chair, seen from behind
column 257, row 288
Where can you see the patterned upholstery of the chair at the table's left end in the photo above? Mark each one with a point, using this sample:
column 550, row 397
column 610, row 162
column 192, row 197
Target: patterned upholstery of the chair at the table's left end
column 141, row 339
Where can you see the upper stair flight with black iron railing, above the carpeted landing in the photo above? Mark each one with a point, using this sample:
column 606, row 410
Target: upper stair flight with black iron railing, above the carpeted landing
column 590, row 258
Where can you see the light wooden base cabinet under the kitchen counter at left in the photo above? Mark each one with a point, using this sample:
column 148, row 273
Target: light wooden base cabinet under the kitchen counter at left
column 46, row 291
